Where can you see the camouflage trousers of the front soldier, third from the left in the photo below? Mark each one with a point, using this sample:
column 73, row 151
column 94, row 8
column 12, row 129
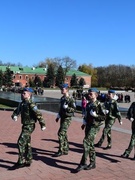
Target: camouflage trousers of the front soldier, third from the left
column 88, row 144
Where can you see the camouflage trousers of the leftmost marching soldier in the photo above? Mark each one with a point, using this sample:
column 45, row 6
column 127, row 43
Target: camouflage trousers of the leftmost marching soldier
column 24, row 144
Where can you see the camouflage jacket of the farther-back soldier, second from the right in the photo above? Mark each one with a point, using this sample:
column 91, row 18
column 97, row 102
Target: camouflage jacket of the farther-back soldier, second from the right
column 112, row 107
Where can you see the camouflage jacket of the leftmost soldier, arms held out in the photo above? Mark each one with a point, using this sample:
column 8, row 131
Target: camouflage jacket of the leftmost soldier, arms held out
column 29, row 113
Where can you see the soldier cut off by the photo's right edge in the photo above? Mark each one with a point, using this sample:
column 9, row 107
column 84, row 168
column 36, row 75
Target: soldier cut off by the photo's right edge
column 131, row 117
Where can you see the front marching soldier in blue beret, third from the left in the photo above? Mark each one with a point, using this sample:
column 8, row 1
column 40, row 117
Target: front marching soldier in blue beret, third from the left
column 92, row 121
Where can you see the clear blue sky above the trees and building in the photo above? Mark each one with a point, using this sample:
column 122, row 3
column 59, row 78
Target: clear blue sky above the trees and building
column 97, row 32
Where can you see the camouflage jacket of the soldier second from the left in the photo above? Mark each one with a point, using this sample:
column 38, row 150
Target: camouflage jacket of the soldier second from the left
column 68, row 112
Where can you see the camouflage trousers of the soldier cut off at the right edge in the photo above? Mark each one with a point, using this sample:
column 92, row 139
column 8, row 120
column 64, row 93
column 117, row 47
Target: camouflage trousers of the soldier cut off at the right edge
column 132, row 140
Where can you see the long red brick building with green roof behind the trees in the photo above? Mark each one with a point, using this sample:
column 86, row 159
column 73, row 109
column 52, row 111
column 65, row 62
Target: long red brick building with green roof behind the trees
column 21, row 75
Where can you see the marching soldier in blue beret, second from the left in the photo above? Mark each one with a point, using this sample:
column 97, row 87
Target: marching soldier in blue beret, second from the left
column 67, row 107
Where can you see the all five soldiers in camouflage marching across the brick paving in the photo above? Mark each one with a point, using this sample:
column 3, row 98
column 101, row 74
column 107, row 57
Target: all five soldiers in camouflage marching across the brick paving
column 96, row 115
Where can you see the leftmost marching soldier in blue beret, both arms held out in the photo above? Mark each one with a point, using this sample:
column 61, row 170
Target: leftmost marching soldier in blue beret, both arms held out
column 29, row 115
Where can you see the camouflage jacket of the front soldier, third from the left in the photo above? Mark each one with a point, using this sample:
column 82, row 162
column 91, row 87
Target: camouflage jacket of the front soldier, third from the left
column 97, row 107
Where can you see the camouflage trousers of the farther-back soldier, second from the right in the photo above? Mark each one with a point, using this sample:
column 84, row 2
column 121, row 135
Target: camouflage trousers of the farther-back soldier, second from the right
column 107, row 132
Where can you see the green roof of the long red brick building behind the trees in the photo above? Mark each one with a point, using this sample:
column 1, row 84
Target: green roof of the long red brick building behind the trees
column 37, row 70
